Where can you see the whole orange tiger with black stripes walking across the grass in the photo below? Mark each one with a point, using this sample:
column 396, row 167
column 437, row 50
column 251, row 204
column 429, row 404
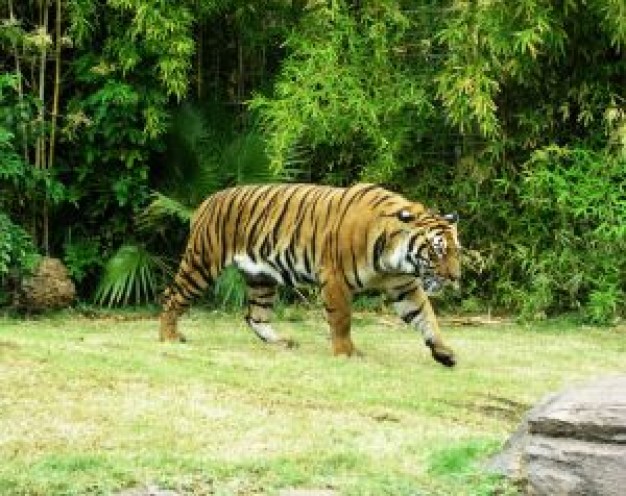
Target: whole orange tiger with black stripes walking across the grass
column 344, row 240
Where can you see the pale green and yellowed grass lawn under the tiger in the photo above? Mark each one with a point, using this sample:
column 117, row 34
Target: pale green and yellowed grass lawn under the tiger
column 96, row 406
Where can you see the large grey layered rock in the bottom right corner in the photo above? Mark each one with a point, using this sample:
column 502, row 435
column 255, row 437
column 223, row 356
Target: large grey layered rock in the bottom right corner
column 571, row 443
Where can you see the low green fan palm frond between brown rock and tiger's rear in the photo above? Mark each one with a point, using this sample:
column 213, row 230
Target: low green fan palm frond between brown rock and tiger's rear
column 130, row 275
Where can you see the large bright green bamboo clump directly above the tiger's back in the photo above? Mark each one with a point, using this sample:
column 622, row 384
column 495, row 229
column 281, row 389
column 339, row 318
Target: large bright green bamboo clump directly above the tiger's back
column 344, row 87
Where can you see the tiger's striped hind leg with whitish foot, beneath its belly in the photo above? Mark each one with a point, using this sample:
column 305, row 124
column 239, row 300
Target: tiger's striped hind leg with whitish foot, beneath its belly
column 261, row 297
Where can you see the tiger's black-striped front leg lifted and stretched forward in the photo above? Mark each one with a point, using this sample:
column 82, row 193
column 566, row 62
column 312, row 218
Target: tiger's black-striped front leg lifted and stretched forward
column 413, row 306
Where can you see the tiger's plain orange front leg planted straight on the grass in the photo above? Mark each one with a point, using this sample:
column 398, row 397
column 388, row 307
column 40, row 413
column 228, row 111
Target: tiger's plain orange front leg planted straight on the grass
column 337, row 300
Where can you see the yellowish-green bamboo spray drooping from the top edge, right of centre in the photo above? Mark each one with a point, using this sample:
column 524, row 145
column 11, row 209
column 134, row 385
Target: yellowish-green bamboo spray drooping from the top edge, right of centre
column 489, row 44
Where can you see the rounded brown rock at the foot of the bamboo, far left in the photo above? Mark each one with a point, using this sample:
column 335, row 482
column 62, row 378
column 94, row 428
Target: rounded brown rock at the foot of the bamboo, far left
column 49, row 287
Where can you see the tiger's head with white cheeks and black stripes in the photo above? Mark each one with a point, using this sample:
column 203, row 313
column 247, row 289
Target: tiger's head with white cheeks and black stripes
column 419, row 242
